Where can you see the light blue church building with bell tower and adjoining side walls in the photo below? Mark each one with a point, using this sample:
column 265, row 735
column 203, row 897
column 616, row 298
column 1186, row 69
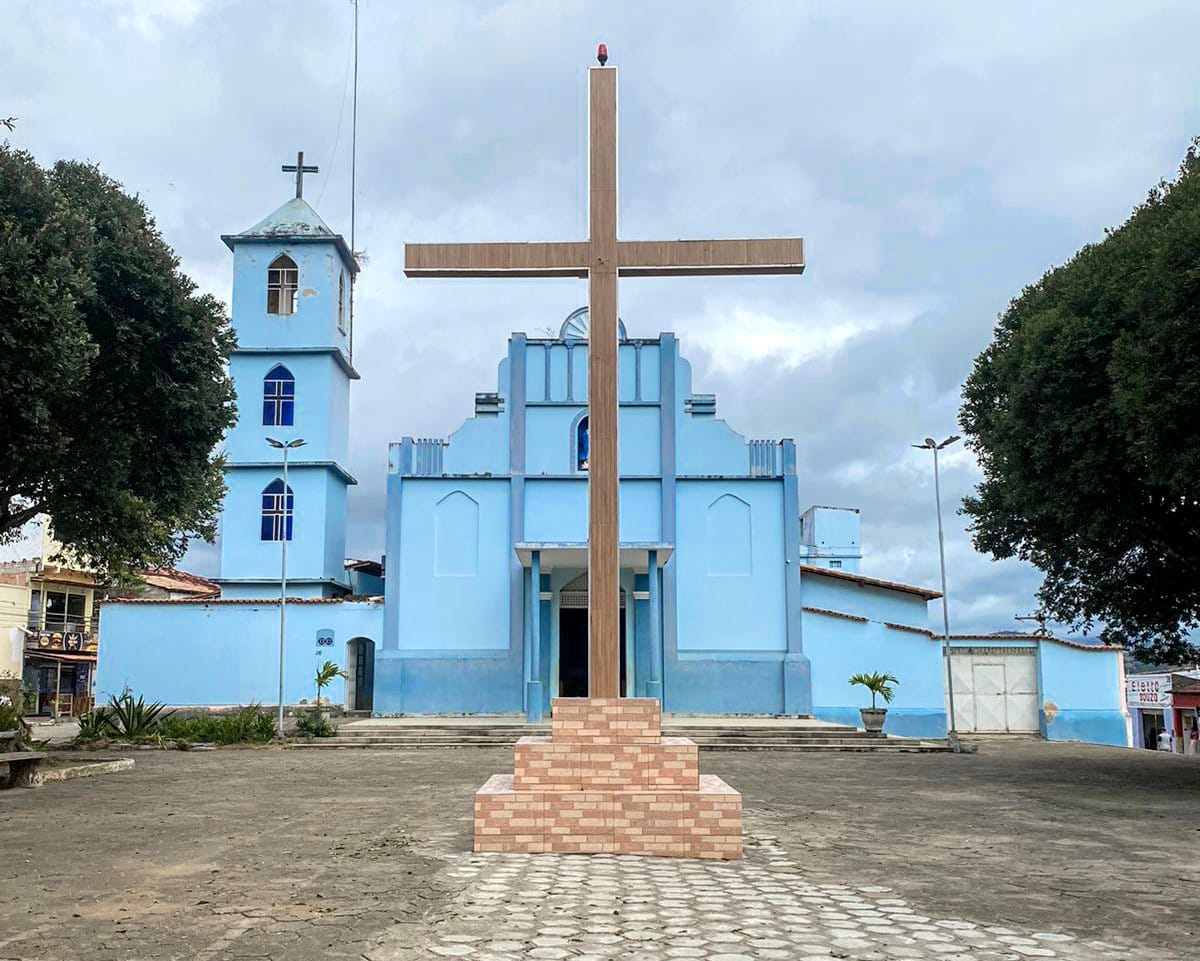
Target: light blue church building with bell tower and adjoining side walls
column 735, row 598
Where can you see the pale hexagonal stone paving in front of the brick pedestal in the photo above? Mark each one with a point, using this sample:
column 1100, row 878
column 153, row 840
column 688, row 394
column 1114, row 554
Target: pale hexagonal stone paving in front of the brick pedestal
column 573, row 908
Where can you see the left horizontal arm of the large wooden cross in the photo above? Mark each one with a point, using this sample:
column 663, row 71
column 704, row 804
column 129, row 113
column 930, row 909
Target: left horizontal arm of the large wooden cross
column 496, row 260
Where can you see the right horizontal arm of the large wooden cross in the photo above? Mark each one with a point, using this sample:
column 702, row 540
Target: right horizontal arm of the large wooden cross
column 674, row 259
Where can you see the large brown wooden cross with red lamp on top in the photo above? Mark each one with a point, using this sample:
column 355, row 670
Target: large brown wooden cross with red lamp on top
column 602, row 259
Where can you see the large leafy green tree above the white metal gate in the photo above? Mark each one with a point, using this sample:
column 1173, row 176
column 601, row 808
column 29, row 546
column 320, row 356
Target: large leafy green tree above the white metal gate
column 1085, row 417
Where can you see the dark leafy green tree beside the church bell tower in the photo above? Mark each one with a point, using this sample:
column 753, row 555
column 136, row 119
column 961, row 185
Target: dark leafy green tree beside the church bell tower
column 113, row 383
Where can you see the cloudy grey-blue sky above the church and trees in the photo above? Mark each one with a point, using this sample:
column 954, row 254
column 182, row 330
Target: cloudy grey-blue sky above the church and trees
column 937, row 158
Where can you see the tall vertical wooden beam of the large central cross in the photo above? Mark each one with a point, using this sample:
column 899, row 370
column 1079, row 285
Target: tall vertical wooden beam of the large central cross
column 604, row 525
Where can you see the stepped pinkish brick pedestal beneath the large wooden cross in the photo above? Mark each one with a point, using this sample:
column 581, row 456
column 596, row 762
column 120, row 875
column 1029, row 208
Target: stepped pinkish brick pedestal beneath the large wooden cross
column 607, row 782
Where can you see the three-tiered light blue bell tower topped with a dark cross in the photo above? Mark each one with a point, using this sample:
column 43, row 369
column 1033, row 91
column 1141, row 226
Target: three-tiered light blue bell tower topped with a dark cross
column 292, row 370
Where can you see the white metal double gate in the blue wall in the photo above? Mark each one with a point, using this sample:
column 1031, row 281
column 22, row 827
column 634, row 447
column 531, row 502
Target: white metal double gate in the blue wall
column 995, row 690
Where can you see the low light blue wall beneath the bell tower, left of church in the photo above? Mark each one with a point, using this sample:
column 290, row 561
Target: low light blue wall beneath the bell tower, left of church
column 223, row 653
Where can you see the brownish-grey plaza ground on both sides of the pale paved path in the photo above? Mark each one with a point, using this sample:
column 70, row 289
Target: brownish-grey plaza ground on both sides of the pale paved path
column 313, row 855
